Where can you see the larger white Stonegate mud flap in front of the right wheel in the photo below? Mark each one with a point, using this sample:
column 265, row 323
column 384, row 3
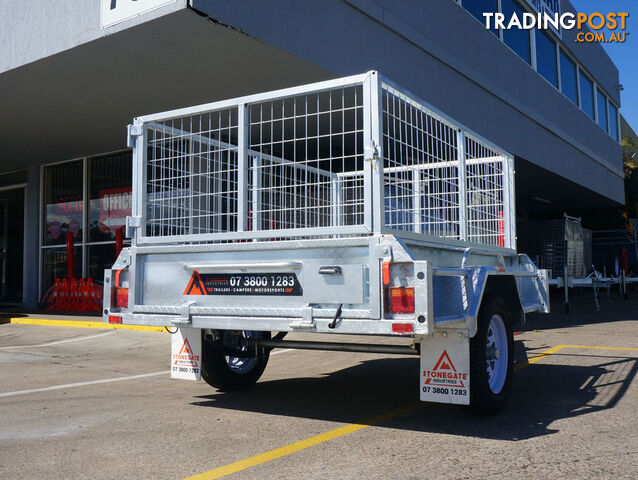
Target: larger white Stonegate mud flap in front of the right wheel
column 445, row 368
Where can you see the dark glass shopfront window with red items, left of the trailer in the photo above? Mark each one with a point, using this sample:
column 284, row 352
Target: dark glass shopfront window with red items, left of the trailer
column 90, row 198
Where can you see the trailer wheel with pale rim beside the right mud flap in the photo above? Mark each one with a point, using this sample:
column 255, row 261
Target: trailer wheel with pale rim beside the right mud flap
column 491, row 357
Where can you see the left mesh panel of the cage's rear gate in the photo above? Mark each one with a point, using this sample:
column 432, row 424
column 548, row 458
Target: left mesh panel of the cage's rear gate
column 192, row 174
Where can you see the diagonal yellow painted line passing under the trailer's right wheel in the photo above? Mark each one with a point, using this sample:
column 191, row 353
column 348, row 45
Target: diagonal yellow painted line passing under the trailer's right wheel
column 324, row 437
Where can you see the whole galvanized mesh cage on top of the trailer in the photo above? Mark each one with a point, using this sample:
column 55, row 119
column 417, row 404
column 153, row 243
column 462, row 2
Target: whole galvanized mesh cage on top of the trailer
column 311, row 161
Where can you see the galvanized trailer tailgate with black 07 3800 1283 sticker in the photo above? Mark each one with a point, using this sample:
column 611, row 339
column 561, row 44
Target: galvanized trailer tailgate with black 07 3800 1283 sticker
column 261, row 279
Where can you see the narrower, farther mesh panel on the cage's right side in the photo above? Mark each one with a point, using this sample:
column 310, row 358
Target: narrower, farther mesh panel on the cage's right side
column 485, row 202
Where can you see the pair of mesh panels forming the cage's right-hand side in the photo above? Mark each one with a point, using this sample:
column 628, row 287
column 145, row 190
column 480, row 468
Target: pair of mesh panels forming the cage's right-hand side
column 421, row 175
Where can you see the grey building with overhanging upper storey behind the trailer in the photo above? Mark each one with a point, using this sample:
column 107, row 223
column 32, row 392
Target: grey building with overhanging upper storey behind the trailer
column 74, row 73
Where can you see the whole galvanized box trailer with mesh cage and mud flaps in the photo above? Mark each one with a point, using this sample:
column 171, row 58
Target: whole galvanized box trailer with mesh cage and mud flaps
column 342, row 207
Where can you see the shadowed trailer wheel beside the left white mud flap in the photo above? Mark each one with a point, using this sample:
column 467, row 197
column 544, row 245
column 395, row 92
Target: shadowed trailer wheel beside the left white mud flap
column 228, row 373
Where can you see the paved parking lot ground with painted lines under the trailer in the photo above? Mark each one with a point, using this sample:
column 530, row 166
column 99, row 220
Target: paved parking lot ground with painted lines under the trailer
column 94, row 403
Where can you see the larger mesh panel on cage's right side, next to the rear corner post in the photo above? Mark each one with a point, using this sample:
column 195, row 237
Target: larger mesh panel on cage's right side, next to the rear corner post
column 420, row 168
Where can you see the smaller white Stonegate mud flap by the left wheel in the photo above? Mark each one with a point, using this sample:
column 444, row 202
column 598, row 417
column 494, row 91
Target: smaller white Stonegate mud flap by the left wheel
column 186, row 353
